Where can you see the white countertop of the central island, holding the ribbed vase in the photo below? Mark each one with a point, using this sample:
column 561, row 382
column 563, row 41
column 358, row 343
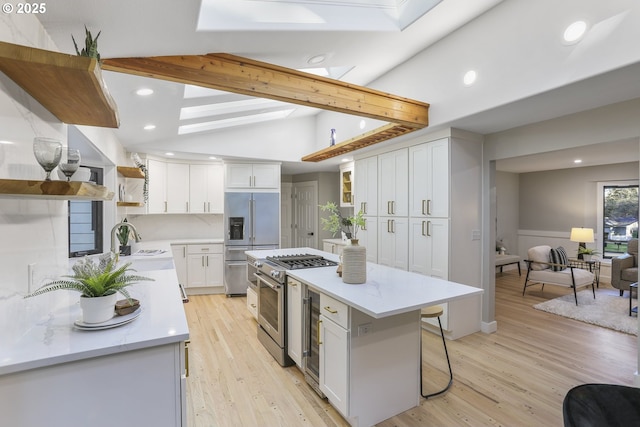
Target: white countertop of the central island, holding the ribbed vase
column 387, row 291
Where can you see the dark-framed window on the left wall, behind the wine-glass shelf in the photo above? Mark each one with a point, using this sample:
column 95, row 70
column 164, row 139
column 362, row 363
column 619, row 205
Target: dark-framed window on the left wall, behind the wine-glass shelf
column 85, row 223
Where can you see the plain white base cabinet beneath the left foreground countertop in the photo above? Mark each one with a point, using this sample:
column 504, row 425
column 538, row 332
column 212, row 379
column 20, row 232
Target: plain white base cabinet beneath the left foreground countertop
column 145, row 387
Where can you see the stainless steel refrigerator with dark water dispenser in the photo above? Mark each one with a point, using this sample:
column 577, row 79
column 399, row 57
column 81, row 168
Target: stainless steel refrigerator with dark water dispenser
column 252, row 222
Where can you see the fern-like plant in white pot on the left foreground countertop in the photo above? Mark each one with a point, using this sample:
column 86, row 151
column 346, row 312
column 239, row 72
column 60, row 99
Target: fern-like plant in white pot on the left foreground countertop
column 98, row 280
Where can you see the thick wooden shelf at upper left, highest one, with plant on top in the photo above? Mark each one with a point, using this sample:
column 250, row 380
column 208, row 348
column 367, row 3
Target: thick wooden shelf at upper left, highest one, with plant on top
column 69, row 86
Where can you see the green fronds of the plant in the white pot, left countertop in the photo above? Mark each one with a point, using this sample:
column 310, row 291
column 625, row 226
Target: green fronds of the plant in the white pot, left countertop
column 95, row 279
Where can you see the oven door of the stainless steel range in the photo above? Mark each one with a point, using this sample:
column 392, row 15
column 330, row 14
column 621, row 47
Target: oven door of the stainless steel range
column 271, row 308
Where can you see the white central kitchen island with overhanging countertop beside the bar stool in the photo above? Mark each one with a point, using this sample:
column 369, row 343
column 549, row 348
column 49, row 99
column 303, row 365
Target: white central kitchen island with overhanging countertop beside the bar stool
column 370, row 334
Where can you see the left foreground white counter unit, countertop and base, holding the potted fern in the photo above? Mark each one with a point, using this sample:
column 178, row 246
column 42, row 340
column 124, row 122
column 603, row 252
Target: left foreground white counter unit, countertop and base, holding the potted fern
column 53, row 374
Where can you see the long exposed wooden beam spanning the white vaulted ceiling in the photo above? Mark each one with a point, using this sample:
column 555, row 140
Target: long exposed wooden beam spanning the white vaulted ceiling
column 260, row 79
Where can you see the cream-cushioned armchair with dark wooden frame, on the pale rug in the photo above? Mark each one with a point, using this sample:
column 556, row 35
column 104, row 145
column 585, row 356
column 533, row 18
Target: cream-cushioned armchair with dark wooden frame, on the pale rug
column 551, row 266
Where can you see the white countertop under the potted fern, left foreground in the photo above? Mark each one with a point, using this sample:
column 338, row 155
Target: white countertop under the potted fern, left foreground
column 40, row 331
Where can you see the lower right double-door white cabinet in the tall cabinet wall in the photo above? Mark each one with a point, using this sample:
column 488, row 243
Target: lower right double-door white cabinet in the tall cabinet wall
column 429, row 247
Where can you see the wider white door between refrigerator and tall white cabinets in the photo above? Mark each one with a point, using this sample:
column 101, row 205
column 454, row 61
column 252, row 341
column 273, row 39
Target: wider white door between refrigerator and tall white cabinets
column 305, row 205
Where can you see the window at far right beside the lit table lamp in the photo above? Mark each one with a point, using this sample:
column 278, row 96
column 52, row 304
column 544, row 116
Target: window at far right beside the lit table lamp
column 619, row 217
